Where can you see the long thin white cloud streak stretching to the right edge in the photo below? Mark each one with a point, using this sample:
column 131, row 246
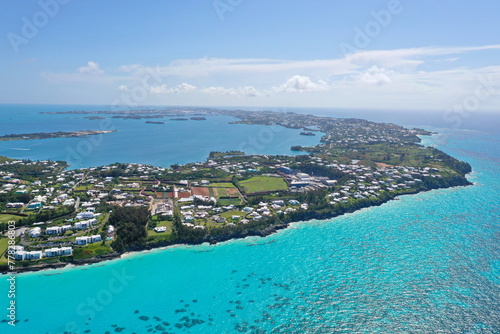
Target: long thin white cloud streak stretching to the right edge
column 408, row 59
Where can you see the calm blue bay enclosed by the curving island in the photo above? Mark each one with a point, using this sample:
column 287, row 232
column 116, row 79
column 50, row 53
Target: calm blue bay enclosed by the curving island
column 175, row 142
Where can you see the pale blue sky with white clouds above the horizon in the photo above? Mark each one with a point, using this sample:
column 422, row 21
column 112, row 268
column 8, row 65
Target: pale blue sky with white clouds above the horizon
column 395, row 54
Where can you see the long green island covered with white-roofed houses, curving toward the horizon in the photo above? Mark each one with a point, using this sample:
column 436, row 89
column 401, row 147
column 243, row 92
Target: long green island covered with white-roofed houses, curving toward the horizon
column 89, row 215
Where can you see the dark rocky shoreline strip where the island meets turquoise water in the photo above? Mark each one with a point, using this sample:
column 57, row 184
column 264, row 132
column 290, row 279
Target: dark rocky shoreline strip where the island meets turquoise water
column 273, row 229
